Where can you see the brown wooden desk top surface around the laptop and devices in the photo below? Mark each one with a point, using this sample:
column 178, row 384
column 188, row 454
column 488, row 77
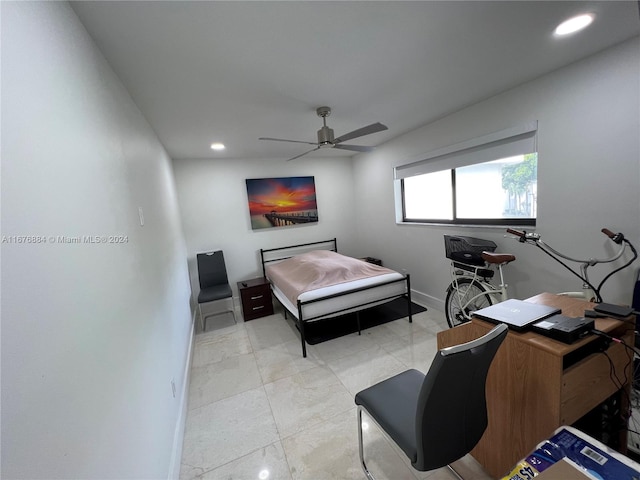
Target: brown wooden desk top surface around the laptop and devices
column 571, row 307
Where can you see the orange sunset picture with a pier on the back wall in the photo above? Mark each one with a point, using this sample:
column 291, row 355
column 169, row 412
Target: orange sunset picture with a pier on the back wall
column 279, row 202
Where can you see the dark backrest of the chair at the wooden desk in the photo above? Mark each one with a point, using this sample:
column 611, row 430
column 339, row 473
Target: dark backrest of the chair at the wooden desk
column 452, row 410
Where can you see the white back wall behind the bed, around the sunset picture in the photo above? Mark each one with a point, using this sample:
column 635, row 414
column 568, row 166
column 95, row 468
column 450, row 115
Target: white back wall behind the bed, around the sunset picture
column 213, row 202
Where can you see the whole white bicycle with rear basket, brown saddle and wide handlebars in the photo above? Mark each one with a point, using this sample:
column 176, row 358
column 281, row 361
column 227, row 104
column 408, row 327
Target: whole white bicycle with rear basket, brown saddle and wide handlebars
column 473, row 264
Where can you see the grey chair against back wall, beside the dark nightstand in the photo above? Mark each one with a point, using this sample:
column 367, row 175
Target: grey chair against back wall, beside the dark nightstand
column 214, row 283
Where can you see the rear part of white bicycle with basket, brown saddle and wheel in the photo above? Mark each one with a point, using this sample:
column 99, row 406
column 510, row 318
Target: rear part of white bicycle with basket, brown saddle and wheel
column 473, row 264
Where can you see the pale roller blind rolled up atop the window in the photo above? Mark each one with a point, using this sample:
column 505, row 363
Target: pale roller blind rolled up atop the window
column 506, row 143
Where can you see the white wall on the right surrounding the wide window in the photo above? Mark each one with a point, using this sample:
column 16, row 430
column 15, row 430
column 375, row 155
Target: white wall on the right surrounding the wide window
column 588, row 177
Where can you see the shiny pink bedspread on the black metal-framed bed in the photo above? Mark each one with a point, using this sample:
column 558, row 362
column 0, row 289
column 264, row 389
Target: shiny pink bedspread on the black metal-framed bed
column 317, row 269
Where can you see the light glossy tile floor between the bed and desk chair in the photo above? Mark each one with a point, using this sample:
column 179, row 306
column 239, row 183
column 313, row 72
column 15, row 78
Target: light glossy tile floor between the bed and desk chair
column 259, row 411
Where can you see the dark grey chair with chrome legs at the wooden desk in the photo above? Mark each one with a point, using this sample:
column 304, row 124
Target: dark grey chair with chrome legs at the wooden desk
column 439, row 417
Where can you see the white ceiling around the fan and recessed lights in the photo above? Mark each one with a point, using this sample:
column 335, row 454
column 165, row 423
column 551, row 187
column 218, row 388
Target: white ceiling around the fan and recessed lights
column 235, row 71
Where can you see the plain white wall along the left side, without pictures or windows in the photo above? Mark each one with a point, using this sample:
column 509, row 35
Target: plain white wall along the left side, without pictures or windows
column 92, row 334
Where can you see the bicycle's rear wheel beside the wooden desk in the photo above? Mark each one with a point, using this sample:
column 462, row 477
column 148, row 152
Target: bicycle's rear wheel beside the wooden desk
column 459, row 304
